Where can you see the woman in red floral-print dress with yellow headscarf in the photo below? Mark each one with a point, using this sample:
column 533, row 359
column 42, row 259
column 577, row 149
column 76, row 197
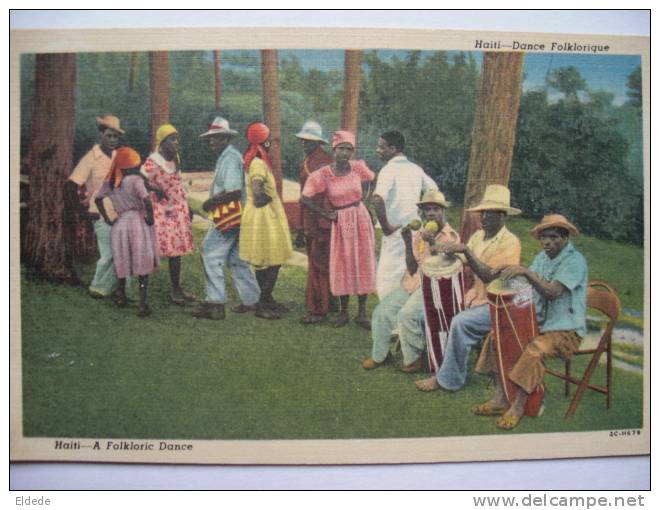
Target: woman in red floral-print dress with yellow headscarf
column 171, row 213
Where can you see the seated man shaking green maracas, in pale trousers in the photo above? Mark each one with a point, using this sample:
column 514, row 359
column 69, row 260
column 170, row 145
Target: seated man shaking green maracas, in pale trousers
column 403, row 307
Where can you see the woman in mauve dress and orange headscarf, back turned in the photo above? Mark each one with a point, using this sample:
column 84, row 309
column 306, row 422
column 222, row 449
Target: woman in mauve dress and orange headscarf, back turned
column 134, row 247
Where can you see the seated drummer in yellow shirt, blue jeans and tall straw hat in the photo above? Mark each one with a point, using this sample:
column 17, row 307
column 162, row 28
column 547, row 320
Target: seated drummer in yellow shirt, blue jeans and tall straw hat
column 488, row 248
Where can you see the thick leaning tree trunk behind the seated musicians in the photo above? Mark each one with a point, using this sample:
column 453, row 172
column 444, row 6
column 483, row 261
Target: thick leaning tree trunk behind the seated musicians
column 494, row 130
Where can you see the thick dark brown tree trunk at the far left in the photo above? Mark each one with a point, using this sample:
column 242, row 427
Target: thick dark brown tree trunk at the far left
column 50, row 240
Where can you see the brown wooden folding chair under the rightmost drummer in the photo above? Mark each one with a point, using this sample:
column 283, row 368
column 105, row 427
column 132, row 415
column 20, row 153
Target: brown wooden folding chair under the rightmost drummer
column 602, row 297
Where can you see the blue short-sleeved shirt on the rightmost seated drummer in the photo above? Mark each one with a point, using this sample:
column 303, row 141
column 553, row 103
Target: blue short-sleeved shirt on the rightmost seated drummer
column 567, row 312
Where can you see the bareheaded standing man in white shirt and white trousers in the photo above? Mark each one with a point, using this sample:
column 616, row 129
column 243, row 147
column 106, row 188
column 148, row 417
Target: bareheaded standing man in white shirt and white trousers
column 399, row 187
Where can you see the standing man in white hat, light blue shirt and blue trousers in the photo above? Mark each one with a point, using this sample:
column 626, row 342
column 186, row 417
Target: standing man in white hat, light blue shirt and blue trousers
column 220, row 246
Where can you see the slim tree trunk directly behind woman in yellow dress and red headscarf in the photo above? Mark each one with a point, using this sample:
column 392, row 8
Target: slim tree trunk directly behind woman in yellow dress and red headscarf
column 271, row 107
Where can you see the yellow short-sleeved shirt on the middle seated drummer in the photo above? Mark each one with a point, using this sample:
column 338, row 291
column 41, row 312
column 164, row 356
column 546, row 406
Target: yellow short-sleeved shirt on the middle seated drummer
column 503, row 249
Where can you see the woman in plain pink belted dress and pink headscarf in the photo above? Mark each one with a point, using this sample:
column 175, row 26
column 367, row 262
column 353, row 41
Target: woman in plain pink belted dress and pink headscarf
column 352, row 240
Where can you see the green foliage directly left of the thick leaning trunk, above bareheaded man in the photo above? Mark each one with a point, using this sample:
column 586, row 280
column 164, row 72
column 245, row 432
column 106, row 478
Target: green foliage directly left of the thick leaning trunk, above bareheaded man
column 431, row 101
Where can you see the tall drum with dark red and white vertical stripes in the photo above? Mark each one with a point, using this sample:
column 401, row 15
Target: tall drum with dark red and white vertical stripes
column 442, row 290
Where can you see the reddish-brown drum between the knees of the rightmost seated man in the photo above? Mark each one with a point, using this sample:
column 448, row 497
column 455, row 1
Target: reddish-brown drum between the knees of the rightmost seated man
column 514, row 325
